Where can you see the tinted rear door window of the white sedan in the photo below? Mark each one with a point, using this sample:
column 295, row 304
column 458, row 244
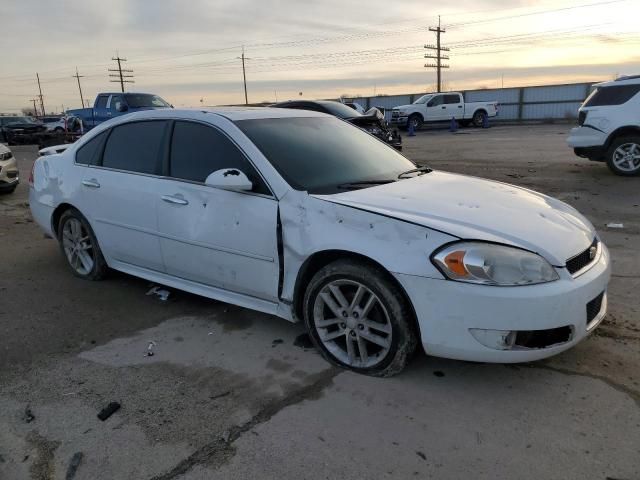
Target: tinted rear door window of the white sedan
column 135, row 147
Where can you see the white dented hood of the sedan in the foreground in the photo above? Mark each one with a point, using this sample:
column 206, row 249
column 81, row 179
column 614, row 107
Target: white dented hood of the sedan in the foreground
column 477, row 209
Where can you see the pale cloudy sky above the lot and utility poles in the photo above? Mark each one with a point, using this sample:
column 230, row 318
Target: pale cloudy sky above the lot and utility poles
column 187, row 51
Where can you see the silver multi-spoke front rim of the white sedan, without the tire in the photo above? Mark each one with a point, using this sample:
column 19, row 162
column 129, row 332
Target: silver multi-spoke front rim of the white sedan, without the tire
column 352, row 323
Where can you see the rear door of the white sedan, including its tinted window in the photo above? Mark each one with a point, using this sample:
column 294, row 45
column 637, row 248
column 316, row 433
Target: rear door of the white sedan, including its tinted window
column 119, row 194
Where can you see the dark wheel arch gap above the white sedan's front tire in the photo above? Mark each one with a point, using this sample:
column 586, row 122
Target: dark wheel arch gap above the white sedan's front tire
column 319, row 259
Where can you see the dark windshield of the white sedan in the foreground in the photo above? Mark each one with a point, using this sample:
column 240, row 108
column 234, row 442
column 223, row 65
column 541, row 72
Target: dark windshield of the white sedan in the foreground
column 322, row 155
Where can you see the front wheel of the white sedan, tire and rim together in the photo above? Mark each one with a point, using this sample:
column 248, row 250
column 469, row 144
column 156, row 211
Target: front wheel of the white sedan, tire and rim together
column 359, row 320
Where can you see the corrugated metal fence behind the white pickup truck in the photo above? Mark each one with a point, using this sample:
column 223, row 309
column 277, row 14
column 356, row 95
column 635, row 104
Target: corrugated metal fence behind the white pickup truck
column 519, row 104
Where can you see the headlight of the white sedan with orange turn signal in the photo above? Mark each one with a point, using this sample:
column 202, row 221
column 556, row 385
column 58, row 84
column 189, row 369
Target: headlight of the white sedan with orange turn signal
column 491, row 264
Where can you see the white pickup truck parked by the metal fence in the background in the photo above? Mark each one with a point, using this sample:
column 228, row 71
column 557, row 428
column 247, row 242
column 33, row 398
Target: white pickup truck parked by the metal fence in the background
column 442, row 107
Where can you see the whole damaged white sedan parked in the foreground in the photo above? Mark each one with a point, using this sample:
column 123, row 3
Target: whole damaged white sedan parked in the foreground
column 303, row 216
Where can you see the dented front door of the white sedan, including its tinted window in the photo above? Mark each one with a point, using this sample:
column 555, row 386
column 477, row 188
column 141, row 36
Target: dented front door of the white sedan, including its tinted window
column 220, row 238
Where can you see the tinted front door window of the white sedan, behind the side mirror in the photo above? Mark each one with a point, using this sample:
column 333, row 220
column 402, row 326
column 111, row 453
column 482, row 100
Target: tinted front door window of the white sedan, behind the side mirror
column 198, row 150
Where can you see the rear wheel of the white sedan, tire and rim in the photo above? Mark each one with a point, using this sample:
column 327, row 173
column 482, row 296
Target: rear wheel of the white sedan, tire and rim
column 80, row 246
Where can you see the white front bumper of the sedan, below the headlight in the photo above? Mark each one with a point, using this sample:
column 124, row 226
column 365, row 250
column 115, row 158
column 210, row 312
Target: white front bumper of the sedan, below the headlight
column 448, row 311
